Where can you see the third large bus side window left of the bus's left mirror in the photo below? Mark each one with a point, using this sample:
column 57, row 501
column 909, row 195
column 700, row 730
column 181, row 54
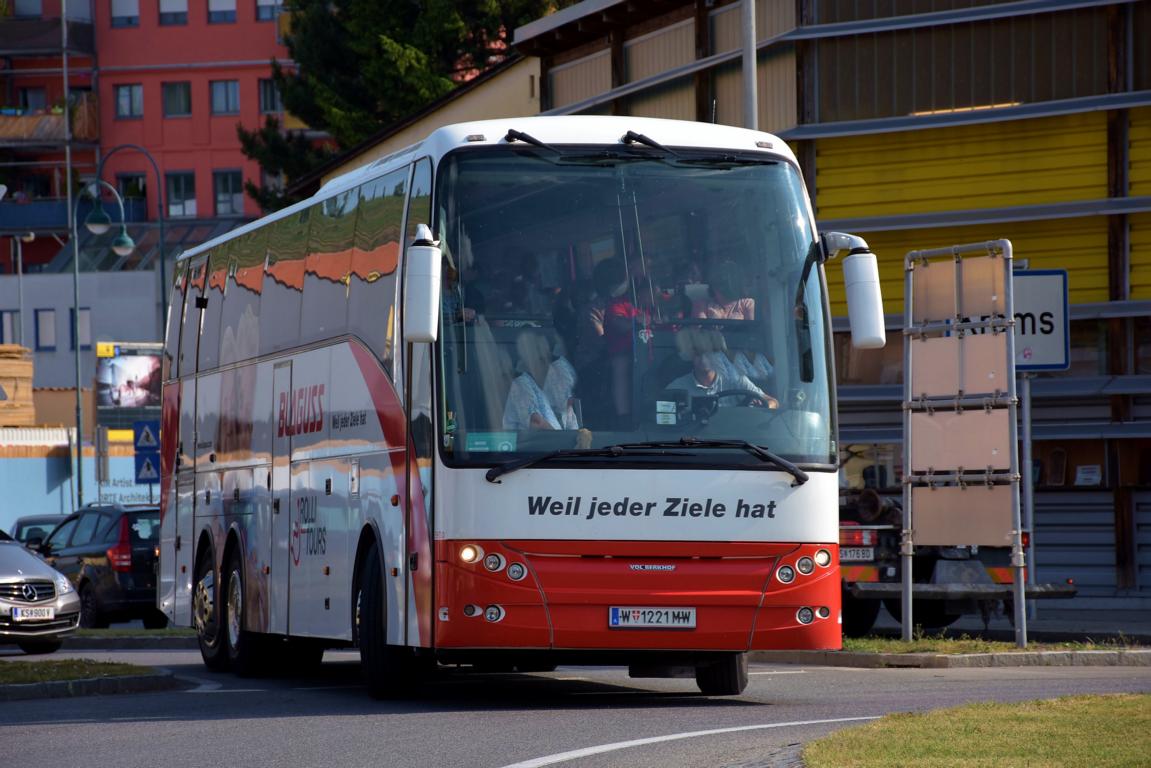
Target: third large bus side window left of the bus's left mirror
column 284, row 283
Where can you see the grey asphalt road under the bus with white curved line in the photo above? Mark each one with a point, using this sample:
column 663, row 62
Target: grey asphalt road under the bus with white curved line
column 577, row 718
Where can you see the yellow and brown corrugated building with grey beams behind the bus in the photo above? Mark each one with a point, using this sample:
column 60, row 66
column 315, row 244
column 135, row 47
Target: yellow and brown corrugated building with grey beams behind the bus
column 933, row 125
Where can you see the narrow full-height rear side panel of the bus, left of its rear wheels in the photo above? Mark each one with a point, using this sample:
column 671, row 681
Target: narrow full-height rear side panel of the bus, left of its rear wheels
column 186, row 445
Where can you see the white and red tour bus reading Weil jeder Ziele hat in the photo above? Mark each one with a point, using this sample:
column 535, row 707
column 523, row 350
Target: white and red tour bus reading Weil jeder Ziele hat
column 532, row 392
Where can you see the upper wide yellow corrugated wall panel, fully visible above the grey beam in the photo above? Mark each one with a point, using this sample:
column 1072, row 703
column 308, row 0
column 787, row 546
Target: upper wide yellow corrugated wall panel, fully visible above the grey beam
column 986, row 166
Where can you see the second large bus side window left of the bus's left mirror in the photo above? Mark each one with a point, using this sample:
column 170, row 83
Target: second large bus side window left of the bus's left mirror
column 327, row 268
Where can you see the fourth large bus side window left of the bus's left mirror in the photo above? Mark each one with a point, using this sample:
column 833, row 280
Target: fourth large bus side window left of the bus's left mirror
column 240, row 332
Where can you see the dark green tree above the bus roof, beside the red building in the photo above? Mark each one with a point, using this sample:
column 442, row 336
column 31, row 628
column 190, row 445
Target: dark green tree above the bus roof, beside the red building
column 363, row 65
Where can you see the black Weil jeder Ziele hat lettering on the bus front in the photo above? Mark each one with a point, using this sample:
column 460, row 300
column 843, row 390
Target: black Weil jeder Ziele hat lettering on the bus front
column 631, row 507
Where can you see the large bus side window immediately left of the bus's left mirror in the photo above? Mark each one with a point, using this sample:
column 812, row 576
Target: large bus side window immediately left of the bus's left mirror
column 372, row 288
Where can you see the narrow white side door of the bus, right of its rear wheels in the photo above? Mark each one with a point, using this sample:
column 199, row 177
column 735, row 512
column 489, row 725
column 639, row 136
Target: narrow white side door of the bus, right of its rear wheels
column 279, row 546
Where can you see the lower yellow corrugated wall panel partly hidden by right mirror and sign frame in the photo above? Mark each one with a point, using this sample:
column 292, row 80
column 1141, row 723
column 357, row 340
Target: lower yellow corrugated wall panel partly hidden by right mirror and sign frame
column 1079, row 246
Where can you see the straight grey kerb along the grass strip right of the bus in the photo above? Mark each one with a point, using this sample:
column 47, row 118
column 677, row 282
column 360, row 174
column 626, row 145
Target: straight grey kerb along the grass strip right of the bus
column 1118, row 658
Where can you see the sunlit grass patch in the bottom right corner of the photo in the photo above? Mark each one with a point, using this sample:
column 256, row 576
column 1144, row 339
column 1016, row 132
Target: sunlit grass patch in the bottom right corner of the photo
column 1102, row 732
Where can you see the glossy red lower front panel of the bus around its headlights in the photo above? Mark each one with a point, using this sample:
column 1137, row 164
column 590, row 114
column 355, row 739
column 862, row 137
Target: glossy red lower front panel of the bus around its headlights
column 569, row 590
